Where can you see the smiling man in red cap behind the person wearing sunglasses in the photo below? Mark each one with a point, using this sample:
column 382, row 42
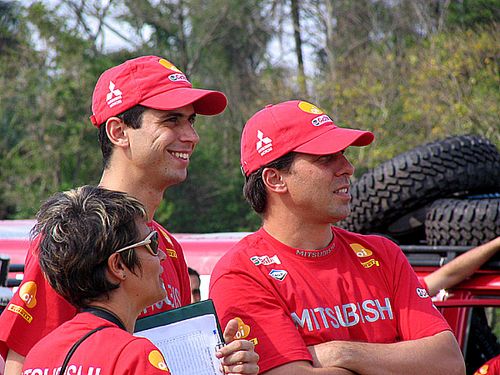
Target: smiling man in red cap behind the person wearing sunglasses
column 144, row 109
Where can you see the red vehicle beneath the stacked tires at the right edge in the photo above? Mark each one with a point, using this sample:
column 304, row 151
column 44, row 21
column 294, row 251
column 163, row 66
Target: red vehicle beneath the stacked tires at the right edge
column 472, row 308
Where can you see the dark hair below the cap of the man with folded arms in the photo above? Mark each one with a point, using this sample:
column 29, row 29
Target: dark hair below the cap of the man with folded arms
column 255, row 191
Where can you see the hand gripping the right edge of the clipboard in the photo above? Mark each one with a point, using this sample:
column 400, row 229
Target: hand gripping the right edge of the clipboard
column 238, row 356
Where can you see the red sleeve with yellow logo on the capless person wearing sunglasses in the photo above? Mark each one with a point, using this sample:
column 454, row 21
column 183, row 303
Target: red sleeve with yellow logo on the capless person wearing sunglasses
column 140, row 356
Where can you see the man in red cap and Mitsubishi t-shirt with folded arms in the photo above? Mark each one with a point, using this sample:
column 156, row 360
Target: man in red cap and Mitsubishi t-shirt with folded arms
column 314, row 298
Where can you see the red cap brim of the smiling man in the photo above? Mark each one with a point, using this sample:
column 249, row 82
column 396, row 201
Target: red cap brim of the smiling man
column 205, row 102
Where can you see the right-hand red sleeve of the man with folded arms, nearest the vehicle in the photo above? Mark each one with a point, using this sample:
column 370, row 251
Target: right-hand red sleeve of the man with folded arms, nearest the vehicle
column 417, row 316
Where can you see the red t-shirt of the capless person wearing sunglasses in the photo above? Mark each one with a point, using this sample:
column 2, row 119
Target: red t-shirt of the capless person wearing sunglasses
column 108, row 351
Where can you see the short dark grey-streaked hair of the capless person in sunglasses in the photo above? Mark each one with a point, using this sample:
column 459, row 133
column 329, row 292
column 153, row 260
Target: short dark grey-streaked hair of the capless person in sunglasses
column 79, row 231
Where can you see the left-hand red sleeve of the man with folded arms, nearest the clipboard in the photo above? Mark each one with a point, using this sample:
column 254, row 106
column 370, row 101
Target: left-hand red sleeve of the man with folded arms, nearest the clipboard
column 262, row 317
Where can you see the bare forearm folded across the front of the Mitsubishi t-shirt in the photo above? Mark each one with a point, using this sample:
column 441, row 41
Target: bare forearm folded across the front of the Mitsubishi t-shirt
column 438, row 354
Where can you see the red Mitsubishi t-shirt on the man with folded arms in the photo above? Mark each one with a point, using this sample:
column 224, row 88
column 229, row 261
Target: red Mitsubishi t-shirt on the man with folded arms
column 360, row 289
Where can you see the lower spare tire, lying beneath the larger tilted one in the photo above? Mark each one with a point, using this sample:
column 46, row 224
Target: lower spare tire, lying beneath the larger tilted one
column 462, row 222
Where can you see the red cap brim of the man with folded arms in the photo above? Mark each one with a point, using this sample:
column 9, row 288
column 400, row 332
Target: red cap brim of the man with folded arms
column 336, row 140
